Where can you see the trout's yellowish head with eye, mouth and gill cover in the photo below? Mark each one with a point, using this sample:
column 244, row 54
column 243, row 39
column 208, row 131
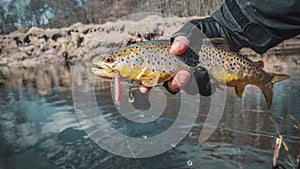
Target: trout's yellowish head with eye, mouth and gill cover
column 120, row 60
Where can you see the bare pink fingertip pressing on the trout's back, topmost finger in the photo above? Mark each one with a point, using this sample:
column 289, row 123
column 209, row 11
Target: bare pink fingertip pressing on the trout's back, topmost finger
column 179, row 45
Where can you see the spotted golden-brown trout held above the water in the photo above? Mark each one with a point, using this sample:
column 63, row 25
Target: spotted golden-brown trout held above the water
column 151, row 62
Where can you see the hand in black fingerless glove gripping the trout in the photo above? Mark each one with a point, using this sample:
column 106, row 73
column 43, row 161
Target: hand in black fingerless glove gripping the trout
column 190, row 36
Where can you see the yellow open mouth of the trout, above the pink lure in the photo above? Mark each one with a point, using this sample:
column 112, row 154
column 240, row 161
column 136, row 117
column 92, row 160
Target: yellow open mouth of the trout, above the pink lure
column 102, row 71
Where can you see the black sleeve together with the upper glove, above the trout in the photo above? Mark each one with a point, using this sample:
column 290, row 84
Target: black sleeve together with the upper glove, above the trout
column 257, row 24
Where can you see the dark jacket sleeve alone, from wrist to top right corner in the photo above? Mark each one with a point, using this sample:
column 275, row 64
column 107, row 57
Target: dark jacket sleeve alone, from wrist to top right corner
column 259, row 24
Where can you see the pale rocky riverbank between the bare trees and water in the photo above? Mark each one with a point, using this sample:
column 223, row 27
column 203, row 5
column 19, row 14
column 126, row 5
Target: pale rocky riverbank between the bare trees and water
column 80, row 42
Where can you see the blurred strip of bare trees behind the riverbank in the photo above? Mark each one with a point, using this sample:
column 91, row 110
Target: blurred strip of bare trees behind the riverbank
column 23, row 14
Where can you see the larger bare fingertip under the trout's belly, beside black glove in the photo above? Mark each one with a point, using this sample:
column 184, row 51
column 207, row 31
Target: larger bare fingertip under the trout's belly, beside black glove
column 179, row 80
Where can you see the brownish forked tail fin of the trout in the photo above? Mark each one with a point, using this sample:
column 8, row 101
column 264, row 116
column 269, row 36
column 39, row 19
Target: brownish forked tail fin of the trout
column 267, row 88
